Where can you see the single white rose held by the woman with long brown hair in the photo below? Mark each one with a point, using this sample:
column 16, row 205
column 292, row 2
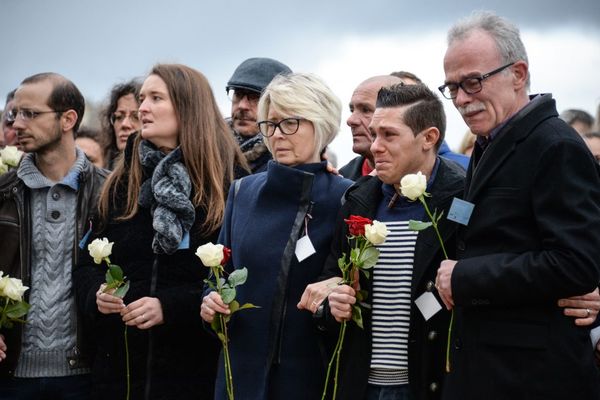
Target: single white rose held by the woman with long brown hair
column 115, row 284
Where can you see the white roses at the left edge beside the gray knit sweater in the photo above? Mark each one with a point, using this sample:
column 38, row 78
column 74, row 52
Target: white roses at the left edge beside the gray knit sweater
column 13, row 308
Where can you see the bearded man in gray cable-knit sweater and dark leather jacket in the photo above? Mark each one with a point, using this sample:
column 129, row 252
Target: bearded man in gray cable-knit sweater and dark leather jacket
column 44, row 212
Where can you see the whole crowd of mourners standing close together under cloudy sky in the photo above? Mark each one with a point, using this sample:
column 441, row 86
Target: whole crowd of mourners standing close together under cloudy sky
column 508, row 312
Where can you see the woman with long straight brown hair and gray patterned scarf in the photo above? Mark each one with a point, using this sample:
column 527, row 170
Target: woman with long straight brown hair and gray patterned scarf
column 165, row 197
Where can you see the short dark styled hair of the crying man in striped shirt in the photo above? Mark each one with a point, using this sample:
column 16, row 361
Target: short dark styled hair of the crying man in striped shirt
column 425, row 111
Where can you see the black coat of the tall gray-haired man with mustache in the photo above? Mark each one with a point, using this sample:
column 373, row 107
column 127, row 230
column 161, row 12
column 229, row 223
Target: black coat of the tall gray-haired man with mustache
column 533, row 238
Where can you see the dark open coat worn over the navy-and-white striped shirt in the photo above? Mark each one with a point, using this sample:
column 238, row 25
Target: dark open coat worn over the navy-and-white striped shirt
column 427, row 339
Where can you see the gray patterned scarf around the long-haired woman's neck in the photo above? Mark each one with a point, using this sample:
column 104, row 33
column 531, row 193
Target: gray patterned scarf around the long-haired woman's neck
column 167, row 194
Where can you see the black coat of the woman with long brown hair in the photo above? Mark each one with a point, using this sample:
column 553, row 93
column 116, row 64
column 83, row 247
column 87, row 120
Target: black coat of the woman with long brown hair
column 175, row 360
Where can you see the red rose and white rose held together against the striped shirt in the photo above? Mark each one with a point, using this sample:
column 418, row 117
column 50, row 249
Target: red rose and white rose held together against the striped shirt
column 365, row 234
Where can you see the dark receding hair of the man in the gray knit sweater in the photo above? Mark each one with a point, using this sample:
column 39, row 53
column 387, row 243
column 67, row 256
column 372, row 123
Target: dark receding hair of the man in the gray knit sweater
column 64, row 96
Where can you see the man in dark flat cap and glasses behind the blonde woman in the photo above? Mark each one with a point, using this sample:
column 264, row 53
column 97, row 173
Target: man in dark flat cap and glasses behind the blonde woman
column 244, row 88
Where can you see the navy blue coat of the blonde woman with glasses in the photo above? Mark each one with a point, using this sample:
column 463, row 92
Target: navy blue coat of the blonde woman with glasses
column 275, row 350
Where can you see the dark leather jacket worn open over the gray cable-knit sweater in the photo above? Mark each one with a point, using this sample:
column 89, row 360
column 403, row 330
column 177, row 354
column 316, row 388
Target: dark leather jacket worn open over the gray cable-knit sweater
column 15, row 245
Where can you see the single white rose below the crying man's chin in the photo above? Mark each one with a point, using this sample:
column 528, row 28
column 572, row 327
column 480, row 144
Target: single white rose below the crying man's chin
column 413, row 186
